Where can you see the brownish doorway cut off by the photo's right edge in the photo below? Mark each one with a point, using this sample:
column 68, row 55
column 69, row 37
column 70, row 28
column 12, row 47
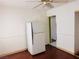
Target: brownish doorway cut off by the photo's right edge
column 77, row 33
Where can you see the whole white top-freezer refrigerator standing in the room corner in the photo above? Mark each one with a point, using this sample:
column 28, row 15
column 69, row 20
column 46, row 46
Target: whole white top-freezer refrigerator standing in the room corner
column 35, row 37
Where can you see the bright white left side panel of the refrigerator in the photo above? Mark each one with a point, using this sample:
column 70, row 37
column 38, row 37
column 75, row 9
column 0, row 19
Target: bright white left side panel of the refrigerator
column 29, row 36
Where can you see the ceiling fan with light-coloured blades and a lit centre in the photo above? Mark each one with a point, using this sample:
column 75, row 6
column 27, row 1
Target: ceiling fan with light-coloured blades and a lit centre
column 48, row 3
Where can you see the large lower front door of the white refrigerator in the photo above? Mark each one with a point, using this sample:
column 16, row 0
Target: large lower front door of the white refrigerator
column 39, row 43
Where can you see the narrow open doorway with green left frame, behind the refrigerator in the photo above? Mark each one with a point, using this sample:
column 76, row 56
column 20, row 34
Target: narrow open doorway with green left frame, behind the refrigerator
column 53, row 30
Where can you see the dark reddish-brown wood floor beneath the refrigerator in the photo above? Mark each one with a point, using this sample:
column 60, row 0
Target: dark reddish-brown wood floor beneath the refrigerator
column 50, row 53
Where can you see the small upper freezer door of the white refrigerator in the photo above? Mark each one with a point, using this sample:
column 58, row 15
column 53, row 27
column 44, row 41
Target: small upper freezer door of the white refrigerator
column 38, row 27
